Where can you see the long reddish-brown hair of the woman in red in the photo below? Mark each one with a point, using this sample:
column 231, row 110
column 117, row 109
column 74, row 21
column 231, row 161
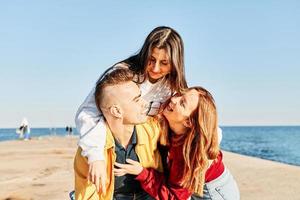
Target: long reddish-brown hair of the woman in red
column 201, row 142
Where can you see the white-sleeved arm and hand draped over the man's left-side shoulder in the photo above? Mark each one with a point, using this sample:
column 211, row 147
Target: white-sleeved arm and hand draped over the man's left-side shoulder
column 91, row 126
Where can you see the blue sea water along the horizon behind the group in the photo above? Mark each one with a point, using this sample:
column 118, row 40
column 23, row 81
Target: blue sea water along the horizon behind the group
column 277, row 143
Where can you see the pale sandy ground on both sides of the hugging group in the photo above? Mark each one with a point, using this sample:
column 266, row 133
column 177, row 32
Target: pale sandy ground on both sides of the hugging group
column 43, row 169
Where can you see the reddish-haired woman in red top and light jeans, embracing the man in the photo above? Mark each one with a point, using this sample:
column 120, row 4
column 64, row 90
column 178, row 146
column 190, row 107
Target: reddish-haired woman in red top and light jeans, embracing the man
column 193, row 160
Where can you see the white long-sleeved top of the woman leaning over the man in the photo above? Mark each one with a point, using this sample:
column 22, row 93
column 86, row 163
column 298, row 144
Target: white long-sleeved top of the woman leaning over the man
column 90, row 123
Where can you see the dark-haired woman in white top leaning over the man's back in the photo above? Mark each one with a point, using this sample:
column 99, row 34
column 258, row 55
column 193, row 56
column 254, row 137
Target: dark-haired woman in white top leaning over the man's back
column 159, row 70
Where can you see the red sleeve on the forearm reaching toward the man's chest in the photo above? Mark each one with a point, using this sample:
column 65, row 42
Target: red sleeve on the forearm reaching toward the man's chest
column 154, row 183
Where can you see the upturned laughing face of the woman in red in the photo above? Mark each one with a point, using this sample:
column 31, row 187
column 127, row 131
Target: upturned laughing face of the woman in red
column 181, row 107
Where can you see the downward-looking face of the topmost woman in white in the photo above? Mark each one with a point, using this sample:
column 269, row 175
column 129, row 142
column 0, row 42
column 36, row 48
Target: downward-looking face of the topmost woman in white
column 159, row 64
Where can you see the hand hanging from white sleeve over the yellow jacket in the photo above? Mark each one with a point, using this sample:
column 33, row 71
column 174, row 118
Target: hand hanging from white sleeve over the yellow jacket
column 97, row 174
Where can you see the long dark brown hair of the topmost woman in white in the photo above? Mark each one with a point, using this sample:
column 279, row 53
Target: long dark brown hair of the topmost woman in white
column 162, row 37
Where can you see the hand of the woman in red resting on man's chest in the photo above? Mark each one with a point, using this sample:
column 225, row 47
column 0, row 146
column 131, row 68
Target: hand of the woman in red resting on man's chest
column 133, row 167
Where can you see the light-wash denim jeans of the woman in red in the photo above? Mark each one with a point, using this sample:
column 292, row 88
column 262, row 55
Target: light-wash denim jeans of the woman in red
column 222, row 188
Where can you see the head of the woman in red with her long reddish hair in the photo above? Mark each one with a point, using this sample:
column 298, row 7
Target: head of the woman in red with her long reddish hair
column 199, row 136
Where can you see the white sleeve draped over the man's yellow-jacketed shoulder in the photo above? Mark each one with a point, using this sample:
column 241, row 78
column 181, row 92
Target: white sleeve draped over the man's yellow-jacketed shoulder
column 91, row 126
